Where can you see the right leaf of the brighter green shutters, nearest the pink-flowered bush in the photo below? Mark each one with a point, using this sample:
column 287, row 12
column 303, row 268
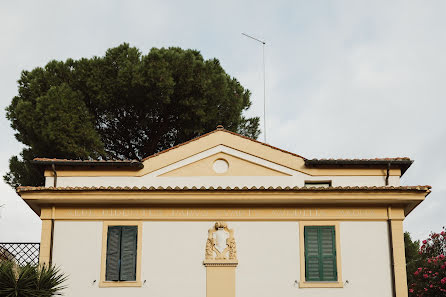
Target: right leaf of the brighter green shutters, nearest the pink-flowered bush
column 328, row 253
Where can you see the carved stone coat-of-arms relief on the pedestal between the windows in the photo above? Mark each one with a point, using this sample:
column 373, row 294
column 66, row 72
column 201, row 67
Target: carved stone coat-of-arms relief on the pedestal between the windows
column 220, row 244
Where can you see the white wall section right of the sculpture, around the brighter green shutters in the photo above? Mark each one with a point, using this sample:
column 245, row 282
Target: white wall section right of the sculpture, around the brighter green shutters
column 269, row 260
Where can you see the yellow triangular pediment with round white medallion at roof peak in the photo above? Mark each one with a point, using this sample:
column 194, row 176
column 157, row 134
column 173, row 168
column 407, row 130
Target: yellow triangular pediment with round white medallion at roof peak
column 243, row 155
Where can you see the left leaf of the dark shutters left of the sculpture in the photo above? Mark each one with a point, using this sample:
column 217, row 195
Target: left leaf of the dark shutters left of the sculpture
column 113, row 253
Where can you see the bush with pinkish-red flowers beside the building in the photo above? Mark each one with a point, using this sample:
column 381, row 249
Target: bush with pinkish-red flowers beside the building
column 429, row 279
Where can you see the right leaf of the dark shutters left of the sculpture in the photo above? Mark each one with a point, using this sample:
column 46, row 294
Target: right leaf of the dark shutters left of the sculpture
column 128, row 253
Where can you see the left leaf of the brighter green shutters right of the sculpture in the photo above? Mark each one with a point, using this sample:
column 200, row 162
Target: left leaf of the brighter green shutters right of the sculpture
column 312, row 261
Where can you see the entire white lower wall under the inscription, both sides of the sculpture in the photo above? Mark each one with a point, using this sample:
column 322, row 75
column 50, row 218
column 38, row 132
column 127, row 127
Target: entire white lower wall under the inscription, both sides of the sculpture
column 268, row 254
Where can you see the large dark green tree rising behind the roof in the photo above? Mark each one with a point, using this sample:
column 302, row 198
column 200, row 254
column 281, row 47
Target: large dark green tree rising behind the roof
column 123, row 105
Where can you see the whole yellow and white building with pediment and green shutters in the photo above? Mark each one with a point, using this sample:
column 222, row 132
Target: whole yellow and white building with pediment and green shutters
column 224, row 215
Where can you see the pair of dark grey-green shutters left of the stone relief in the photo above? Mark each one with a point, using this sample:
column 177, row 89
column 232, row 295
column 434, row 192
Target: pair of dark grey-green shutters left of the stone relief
column 121, row 253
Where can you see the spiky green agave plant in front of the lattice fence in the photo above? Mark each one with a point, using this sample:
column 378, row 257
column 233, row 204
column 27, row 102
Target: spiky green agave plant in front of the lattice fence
column 30, row 281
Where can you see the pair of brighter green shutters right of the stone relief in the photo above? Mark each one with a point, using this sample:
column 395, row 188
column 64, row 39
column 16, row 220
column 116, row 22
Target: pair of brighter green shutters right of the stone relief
column 320, row 253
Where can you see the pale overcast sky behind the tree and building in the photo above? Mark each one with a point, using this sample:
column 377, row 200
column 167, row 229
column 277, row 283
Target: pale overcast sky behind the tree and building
column 345, row 79
